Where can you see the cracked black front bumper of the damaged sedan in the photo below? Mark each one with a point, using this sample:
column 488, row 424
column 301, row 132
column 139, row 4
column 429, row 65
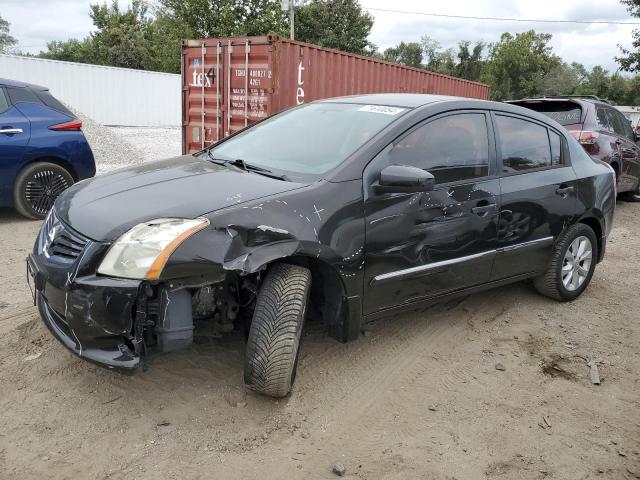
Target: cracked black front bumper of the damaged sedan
column 91, row 316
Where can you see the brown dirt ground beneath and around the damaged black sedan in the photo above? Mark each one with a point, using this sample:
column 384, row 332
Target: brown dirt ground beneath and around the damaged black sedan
column 419, row 396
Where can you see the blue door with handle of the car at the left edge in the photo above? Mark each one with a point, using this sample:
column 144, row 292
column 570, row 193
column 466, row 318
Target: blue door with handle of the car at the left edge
column 15, row 130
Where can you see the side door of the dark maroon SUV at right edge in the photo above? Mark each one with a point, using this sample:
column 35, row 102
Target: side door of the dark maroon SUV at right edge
column 627, row 150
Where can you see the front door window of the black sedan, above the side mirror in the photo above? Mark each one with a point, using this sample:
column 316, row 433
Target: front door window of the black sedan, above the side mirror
column 451, row 148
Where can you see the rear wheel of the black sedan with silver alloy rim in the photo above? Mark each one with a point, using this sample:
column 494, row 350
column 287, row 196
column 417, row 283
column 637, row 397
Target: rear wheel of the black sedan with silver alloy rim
column 552, row 283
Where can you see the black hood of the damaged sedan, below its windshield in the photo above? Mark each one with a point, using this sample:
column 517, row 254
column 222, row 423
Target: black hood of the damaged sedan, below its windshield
column 105, row 207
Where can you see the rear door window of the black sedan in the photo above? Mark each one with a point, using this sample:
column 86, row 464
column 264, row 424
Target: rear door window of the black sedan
column 524, row 145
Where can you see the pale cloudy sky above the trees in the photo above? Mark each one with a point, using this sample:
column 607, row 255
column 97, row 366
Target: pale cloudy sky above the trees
column 36, row 22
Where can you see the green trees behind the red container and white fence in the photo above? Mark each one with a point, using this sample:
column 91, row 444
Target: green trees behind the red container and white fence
column 516, row 66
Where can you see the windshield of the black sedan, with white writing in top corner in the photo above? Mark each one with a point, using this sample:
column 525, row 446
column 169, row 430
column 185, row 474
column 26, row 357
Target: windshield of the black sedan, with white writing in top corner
column 309, row 140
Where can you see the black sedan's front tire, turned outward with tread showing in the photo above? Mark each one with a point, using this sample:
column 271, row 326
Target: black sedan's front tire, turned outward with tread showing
column 274, row 337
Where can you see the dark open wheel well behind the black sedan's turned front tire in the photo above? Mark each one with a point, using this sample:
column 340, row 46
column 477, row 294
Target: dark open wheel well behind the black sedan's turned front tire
column 327, row 296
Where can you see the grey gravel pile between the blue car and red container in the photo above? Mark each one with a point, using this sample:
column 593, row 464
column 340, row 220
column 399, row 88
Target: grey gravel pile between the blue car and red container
column 110, row 150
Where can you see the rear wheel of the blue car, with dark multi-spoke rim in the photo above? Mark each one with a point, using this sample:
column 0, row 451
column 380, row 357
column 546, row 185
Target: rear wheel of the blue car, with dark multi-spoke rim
column 36, row 188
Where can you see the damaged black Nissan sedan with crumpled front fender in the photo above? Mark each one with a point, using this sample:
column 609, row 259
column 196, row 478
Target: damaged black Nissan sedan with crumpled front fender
column 357, row 207
